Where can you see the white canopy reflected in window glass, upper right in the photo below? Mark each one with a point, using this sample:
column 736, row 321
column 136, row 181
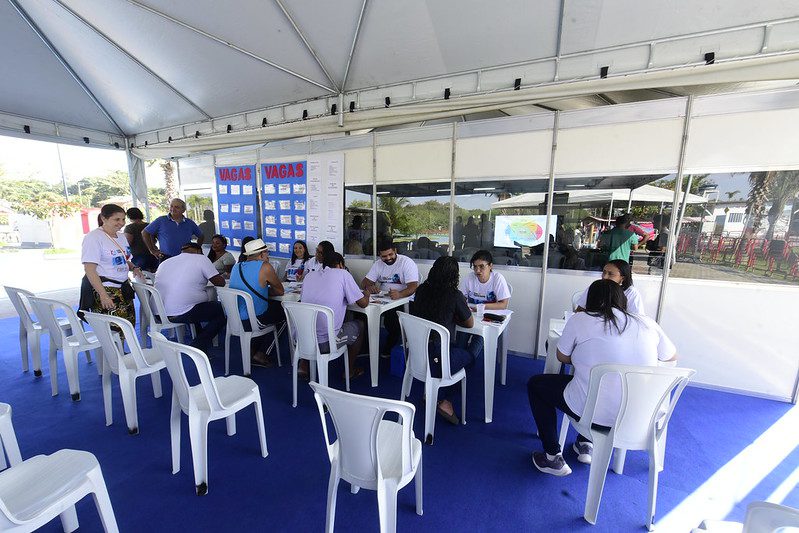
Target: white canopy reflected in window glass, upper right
column 645, row 193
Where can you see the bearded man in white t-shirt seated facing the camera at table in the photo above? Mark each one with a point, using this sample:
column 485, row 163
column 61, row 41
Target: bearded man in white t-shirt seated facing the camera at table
column 398, row 275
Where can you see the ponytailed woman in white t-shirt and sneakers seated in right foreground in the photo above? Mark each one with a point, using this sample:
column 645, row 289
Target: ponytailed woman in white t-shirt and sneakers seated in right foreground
column 604, row 333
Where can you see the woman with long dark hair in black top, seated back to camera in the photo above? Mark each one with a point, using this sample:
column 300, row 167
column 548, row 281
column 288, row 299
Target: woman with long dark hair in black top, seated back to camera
column 439, row 300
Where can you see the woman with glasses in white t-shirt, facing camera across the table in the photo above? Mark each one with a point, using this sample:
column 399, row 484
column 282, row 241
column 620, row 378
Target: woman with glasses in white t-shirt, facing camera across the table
column 485, row 288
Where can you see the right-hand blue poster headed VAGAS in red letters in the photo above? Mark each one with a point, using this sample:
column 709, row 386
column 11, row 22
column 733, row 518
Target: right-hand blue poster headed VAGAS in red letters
column 284, row 205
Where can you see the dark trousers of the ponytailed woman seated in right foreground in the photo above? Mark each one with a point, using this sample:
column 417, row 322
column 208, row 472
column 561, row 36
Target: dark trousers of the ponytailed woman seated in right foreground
column 545, row 392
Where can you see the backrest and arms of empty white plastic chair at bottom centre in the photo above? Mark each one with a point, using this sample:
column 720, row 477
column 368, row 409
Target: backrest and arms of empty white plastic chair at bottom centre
column 356, row 419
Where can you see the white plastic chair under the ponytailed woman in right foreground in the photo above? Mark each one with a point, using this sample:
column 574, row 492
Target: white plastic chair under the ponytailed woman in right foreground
column 648, row 397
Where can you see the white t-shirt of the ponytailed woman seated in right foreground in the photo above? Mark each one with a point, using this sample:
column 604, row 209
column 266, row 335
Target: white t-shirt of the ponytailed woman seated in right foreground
column 589, row 342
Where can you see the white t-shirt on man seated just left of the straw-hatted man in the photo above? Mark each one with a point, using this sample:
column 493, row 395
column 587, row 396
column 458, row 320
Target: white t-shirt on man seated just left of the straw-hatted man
column 182, row 279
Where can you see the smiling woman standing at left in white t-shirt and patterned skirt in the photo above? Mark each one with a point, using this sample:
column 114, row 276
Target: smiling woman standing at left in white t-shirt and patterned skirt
column 106, row 260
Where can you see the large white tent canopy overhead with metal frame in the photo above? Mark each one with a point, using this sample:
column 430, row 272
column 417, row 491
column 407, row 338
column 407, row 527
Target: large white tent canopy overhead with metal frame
column 174, row 77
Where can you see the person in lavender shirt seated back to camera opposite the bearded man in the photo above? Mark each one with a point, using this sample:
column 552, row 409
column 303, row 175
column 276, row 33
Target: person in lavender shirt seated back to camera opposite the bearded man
column 333, row 286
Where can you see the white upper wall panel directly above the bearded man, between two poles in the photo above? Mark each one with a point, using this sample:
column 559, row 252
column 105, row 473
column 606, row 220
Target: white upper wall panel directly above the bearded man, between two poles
column 415, row 162
